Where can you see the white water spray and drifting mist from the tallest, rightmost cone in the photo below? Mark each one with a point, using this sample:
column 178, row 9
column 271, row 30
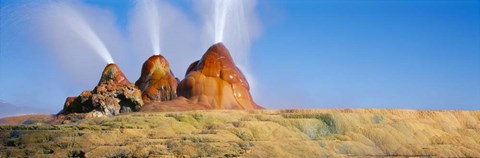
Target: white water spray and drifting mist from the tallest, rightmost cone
column 236, row 24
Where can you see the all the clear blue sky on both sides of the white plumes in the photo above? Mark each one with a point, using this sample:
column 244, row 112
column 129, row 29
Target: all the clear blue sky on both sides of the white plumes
column 309, row 54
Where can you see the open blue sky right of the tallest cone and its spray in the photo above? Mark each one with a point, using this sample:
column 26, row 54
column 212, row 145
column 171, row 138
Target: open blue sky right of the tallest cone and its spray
column 387, row 54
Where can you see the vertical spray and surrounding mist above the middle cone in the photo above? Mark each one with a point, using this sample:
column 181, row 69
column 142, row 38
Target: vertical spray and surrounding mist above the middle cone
column 177, row 33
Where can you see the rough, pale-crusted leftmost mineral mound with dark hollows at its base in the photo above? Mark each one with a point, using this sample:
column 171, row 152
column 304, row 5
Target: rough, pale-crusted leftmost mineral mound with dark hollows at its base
column 113, row 95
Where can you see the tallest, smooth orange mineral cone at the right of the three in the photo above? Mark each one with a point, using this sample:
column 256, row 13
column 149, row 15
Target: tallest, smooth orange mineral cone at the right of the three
column 216, row 82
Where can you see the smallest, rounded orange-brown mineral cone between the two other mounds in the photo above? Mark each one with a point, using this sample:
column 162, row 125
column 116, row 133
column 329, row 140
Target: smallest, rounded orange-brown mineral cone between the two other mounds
column 157, row 81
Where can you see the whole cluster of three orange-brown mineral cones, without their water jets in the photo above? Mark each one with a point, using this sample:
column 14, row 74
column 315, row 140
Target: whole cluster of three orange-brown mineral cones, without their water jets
column 213, row 82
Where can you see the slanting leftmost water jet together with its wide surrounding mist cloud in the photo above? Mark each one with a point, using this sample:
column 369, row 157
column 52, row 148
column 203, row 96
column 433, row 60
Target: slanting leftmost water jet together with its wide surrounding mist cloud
column 81, row 37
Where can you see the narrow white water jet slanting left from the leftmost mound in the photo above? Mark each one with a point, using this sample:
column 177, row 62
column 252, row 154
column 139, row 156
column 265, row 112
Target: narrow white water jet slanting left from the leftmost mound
column 70, row 17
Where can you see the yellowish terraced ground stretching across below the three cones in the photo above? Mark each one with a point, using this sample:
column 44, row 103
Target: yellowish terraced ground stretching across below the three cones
column 259, row 133
